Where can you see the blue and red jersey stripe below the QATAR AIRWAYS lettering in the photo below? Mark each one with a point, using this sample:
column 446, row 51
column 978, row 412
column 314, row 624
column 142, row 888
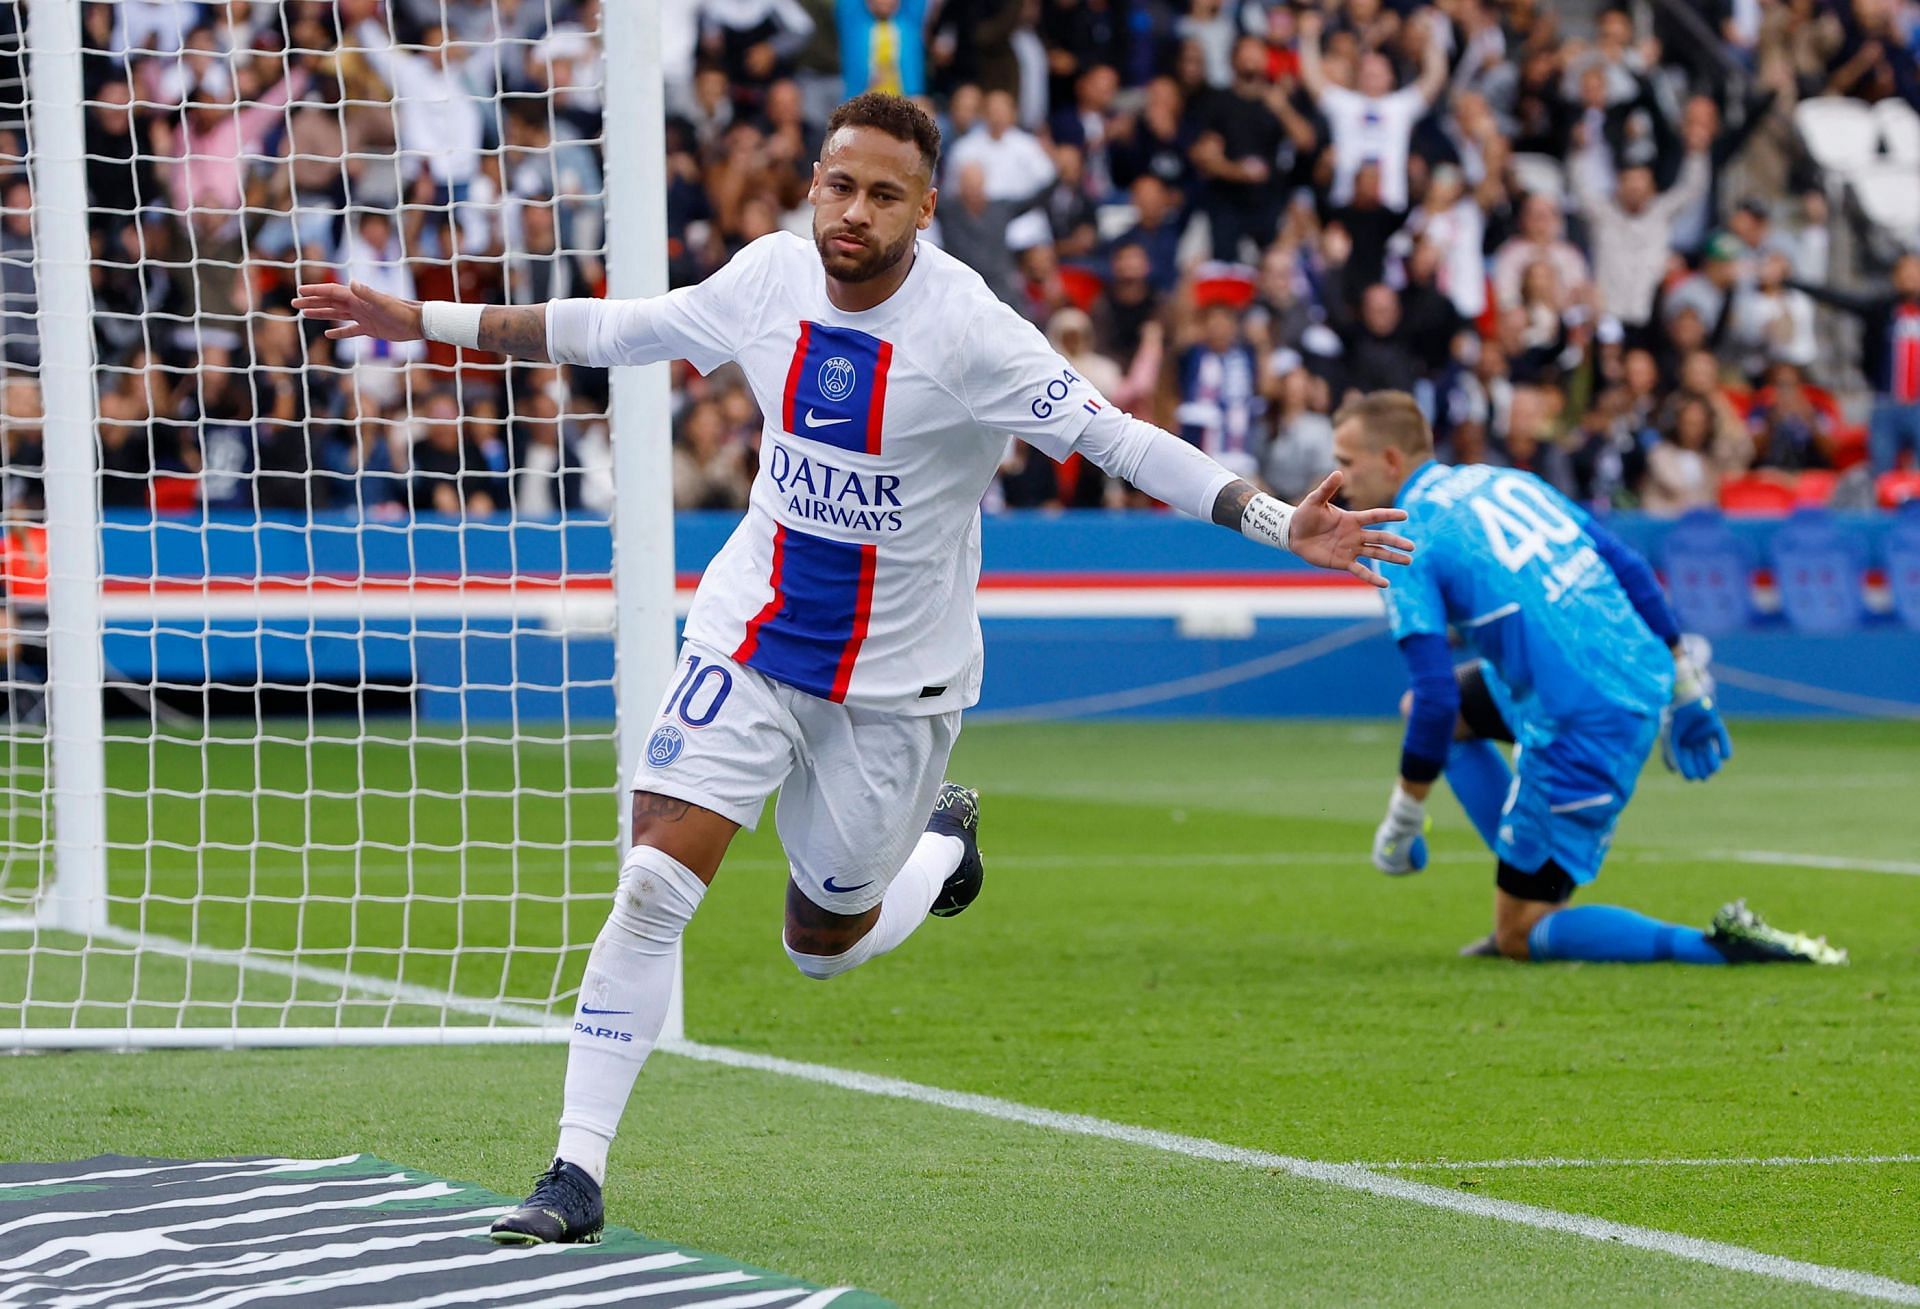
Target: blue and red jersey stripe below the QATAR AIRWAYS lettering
column 811, row 632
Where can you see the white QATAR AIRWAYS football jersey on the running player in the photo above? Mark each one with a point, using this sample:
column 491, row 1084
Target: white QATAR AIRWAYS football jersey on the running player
column 853, row 573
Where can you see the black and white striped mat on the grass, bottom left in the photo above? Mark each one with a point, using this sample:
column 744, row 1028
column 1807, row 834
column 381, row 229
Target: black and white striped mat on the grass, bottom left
column 358, row 1231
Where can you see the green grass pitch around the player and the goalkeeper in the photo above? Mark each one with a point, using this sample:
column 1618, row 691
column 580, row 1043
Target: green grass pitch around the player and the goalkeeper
column 1180, row 930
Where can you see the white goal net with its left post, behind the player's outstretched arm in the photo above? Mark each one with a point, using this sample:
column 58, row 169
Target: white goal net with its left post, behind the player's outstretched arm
column 312, row 652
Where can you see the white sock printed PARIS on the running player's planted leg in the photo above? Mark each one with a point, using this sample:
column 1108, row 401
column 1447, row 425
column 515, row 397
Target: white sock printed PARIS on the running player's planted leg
column 623, row 1001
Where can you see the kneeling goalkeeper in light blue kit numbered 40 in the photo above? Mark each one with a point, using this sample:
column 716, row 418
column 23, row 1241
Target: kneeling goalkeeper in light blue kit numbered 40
column 1581, row 667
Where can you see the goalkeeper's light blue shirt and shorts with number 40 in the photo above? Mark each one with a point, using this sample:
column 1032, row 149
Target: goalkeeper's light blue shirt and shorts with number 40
column 1550, row 604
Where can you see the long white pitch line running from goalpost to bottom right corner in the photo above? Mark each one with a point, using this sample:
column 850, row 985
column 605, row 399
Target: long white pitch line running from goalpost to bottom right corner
column 1347, row 1176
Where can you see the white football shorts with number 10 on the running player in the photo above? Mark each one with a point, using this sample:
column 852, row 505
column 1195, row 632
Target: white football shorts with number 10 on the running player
column 857, row 786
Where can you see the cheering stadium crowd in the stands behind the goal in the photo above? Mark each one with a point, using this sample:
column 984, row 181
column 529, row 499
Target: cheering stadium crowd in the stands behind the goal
column 1596, row 256
